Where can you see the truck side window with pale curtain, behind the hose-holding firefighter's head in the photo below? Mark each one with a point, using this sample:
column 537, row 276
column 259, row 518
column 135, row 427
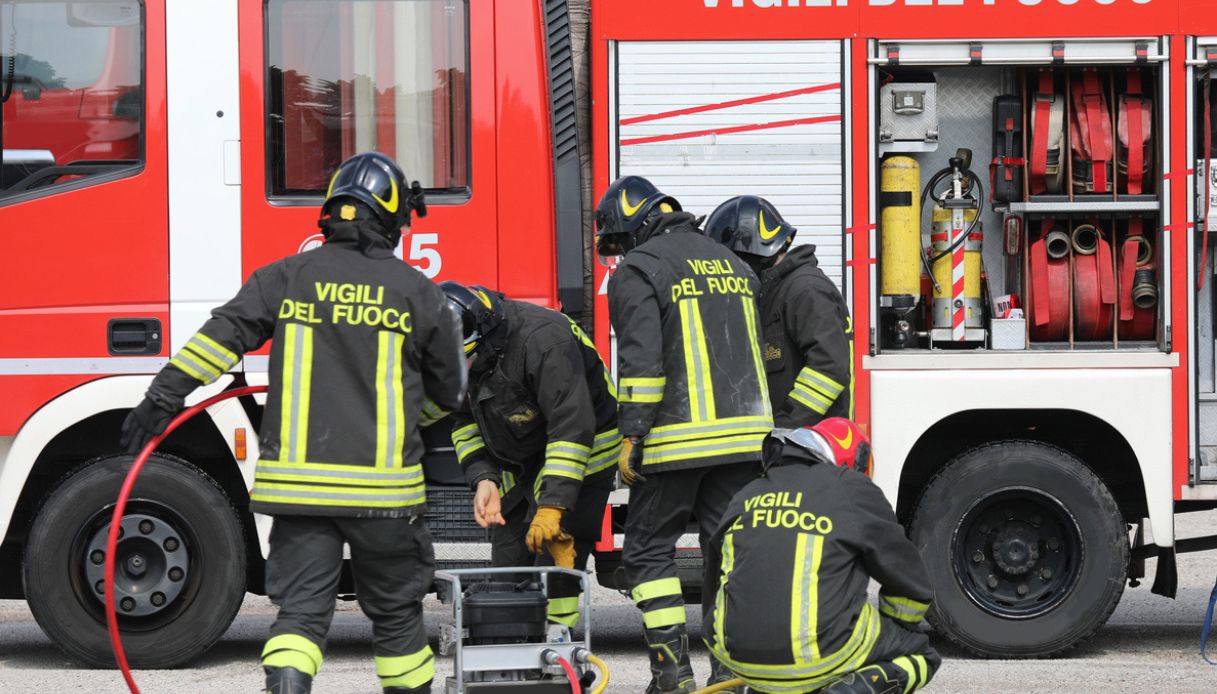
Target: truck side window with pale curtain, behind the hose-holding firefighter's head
column 356, row 76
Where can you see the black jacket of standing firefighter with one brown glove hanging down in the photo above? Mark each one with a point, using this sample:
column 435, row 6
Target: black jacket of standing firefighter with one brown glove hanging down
column 691, row 376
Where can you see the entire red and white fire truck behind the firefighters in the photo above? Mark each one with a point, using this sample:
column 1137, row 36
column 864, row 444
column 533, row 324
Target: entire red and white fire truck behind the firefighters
column 1013, row 195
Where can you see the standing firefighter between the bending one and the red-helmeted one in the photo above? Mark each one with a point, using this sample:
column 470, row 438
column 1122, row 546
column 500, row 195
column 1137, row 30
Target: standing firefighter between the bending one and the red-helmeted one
column 692, row 389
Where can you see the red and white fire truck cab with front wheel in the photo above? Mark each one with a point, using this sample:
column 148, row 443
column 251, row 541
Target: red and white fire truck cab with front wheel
column 158, row 153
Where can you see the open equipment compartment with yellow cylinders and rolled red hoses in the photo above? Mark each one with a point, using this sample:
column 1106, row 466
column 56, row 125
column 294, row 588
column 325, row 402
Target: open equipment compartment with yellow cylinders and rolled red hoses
column 1045, row 216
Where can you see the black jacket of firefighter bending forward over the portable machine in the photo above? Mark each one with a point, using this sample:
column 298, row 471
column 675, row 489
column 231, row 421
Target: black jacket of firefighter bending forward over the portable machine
column 541, row 411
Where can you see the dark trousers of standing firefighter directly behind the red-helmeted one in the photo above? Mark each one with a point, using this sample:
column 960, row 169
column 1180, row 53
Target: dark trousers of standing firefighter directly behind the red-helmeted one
column 660, row 510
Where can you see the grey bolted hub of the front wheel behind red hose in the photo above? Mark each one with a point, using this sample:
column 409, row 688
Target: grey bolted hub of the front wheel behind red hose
column 150, row 568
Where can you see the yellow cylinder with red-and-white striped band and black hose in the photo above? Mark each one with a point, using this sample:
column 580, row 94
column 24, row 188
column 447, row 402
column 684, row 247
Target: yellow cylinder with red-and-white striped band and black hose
column 945, row 276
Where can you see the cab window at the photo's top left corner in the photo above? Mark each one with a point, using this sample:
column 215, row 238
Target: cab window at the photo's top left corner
column 72, row 85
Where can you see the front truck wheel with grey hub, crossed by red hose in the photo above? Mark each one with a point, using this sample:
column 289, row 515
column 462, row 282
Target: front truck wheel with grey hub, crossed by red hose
column 181, row 566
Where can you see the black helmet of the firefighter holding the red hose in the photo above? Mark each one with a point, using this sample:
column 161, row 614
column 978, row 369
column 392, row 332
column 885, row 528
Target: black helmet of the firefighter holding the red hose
column 375, row 181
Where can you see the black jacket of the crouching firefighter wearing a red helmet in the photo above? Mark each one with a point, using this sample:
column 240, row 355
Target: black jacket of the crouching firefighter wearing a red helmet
column 795, row 551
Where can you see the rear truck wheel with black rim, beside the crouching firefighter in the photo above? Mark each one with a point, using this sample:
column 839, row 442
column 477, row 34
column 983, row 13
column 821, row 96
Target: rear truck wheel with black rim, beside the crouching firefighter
column 1027, row 550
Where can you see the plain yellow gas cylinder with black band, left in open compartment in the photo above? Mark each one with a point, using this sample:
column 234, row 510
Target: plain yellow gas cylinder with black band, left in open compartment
column 901, row 228
